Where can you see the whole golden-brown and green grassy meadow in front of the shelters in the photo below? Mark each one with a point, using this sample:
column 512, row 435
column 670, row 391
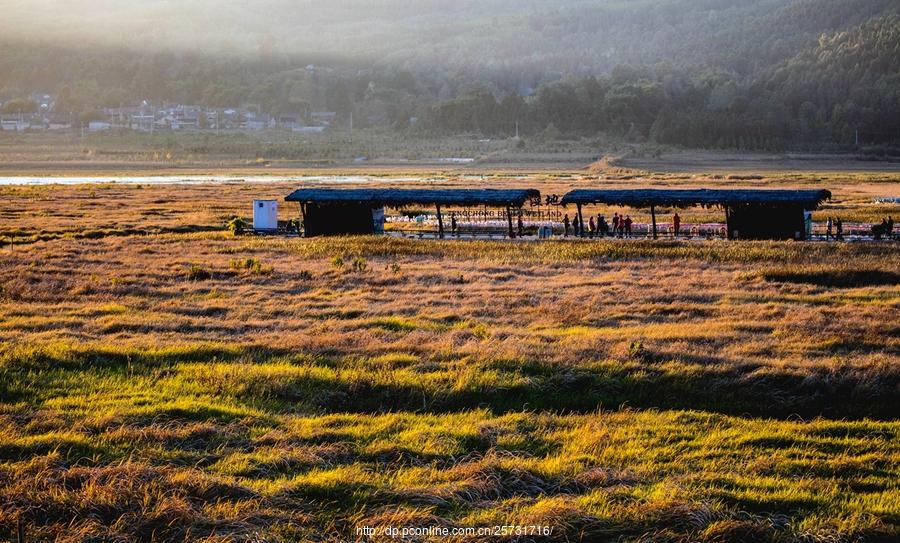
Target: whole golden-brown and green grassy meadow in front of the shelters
column 163, row 380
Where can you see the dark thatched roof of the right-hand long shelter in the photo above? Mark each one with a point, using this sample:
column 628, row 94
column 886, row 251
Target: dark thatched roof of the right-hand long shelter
column 810, row 199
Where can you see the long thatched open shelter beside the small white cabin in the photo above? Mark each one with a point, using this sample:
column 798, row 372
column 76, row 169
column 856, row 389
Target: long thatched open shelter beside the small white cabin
column 327, row 211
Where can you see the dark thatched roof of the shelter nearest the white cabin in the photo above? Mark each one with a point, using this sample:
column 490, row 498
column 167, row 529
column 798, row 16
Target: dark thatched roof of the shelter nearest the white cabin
column 405, row 197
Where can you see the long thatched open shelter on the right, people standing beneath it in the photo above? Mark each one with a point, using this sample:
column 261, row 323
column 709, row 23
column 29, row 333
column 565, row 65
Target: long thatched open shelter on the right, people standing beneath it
column 749, row 213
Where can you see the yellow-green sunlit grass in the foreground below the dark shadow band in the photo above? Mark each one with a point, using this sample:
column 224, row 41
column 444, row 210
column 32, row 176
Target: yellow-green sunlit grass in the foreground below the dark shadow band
column 472, row 467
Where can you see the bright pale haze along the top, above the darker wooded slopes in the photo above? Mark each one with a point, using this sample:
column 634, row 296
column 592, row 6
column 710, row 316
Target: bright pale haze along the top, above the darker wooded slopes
column 574, row 36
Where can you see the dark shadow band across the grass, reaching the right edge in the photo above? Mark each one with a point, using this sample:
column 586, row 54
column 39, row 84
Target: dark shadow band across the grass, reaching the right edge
column 541, row 386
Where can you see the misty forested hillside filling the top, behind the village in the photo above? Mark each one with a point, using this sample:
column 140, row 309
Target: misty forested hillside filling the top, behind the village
column 710, row 73
